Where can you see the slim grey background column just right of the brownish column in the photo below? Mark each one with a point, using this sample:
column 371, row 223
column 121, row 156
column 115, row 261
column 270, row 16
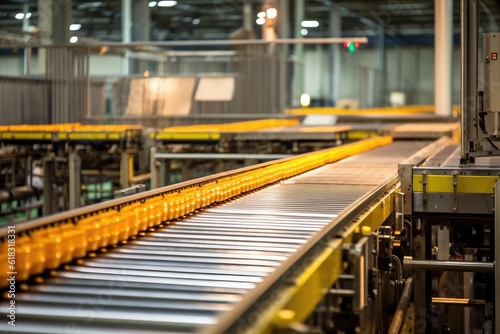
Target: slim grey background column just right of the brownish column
column 298, row 76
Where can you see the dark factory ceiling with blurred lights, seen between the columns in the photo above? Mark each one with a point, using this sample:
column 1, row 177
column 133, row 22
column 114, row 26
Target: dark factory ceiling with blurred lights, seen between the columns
column 217, row 19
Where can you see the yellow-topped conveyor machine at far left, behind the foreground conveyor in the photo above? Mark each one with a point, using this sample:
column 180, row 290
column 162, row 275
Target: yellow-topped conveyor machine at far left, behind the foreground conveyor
column 75, row 157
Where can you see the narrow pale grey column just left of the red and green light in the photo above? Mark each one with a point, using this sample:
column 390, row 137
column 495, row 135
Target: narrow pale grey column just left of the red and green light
column 335, row 66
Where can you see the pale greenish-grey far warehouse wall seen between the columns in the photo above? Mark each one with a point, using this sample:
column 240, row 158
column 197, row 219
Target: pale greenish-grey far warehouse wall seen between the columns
column 409, row 69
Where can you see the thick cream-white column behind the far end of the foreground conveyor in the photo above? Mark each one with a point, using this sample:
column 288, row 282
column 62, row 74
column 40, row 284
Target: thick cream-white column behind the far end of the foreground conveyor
column 443, row 21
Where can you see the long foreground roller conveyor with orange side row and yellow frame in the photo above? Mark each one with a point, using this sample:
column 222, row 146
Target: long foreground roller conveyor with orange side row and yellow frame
column 300, row 244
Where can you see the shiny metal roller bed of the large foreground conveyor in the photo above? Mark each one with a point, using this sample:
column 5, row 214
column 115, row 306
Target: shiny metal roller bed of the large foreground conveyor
column 207, row 271
